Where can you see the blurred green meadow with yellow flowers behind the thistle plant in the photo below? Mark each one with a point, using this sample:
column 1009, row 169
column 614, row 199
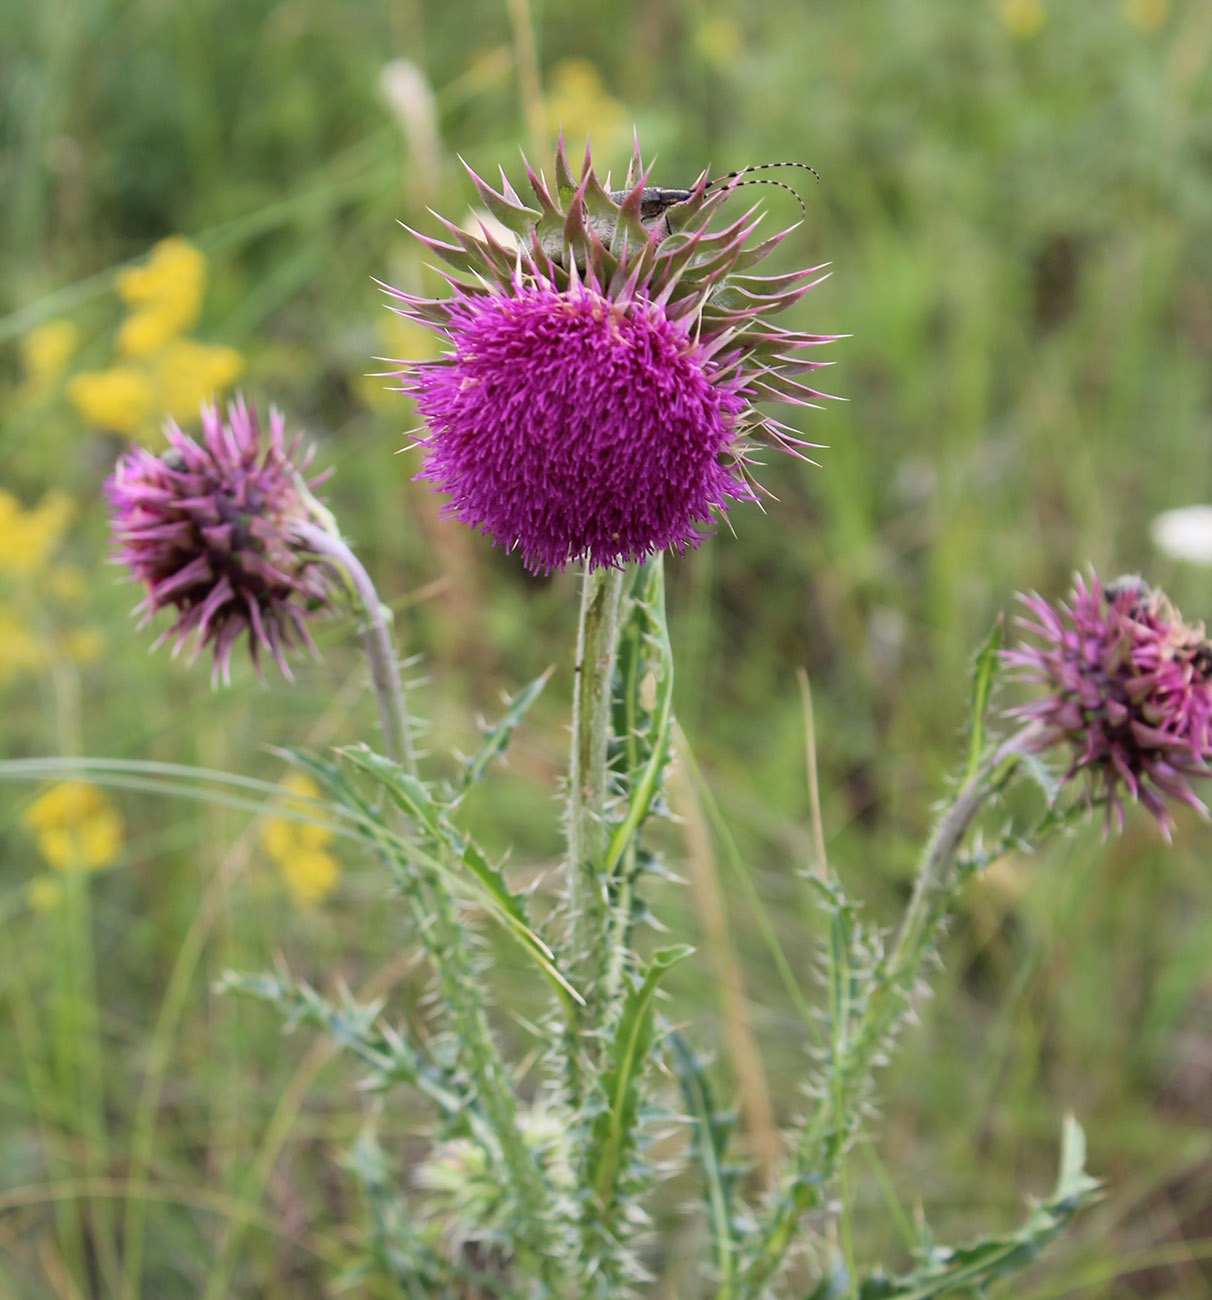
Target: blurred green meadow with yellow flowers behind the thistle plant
column 1018, row 202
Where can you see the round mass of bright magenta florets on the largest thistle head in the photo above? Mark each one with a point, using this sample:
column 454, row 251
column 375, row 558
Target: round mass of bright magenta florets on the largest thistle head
column 569, row 424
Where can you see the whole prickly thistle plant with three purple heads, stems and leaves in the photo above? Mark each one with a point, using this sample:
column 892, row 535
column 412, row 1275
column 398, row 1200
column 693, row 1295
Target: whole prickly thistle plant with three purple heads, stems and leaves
column 598, row 406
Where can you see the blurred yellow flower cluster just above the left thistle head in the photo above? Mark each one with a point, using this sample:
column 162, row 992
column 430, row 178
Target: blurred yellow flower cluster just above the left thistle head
column 158, row 371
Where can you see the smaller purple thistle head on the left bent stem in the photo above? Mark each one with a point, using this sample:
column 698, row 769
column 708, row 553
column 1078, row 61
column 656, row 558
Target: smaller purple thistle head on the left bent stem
column 211, row 530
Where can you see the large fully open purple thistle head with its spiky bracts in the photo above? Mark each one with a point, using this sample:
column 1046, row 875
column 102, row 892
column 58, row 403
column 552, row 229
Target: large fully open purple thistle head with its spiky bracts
column 598, row 397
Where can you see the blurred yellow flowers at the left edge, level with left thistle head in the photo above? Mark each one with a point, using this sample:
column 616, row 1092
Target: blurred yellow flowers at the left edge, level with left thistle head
column 32, row 629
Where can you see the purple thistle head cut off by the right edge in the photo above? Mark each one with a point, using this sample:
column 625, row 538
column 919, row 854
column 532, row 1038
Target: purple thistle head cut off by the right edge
column 1129, row 691
